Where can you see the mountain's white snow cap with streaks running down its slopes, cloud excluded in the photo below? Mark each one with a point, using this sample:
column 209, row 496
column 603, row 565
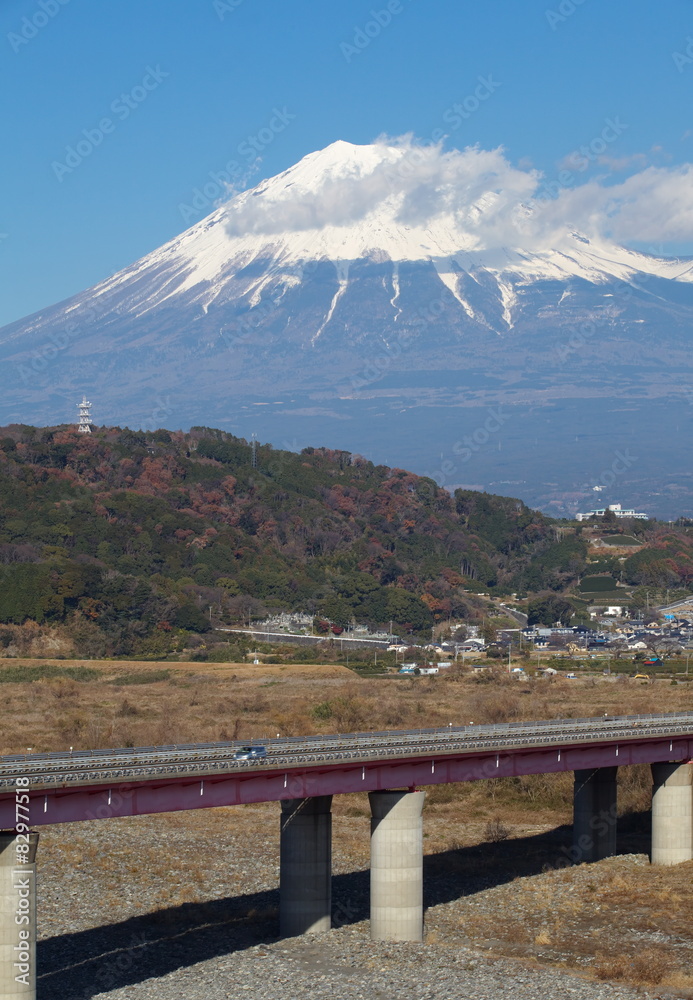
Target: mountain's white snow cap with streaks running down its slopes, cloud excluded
column 257, row 248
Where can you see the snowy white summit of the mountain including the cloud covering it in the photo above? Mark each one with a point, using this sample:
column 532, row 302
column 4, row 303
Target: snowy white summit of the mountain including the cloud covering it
column 461, row 210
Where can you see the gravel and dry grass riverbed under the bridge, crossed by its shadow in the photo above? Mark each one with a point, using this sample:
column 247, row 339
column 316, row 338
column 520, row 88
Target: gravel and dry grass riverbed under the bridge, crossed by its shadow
column 184, row 907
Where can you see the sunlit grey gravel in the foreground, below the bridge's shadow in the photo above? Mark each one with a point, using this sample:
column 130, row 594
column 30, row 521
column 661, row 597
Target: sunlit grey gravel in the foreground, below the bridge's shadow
column 349, row 966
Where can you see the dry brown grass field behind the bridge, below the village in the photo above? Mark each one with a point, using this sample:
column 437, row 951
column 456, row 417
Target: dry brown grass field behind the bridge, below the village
column 189, row 702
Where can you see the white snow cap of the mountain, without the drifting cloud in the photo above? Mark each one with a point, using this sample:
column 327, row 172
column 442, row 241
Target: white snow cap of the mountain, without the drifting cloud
column 274, row 225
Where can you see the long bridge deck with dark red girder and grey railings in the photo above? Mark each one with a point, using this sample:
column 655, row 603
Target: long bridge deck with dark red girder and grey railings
column 131, row 781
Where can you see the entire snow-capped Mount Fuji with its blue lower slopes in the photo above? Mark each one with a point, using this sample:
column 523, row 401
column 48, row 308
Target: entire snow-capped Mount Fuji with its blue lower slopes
column 394, row 300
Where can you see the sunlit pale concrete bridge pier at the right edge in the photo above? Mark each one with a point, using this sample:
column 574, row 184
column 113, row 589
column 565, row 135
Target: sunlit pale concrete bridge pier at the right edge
column 672, row 813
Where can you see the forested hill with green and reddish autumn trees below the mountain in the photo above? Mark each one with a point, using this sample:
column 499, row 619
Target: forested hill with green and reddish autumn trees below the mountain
column 120, row 535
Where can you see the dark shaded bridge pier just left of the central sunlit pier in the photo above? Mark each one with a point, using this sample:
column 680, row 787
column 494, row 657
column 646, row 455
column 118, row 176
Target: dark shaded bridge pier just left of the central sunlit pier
column 305, row 866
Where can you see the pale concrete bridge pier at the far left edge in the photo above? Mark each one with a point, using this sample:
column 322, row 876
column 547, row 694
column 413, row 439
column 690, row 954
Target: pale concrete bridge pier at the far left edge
column 17, row 916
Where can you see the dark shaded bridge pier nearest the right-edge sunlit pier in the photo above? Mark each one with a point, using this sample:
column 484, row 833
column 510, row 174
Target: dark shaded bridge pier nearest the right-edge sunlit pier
column 595, row 814
